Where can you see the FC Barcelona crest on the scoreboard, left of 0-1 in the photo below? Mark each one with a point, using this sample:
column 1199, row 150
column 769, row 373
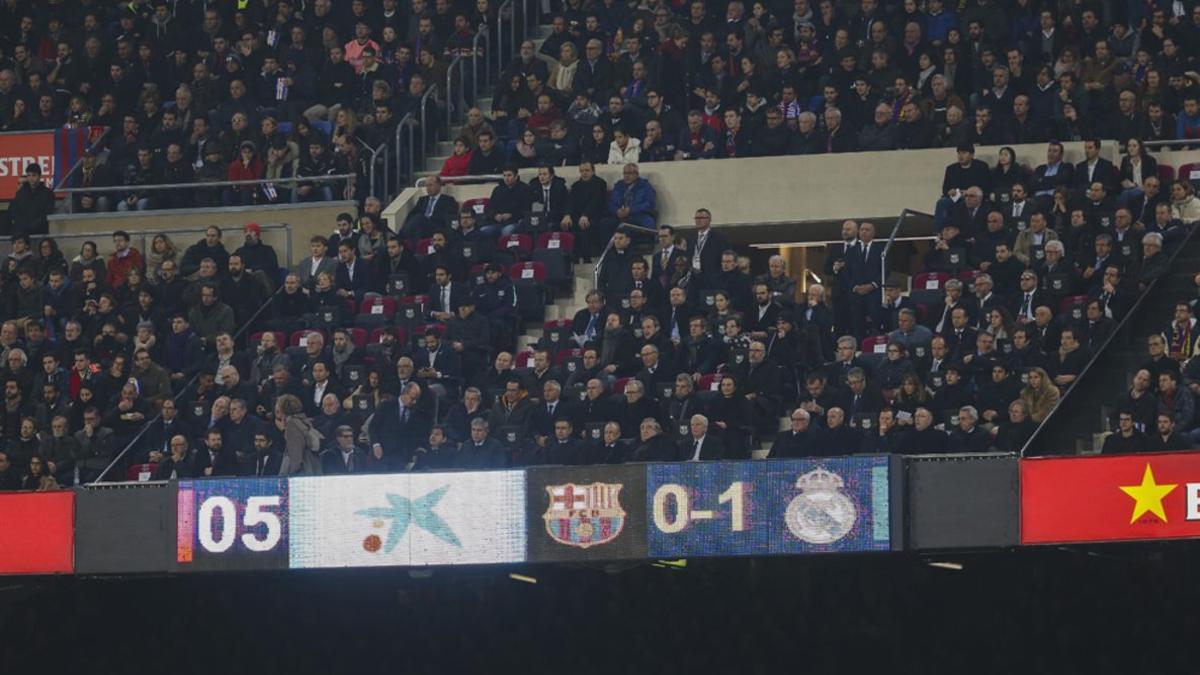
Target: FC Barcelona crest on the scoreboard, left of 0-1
column 585, row 516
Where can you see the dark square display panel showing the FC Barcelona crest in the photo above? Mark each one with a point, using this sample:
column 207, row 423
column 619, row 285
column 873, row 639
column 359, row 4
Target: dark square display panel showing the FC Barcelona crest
column 584, row 513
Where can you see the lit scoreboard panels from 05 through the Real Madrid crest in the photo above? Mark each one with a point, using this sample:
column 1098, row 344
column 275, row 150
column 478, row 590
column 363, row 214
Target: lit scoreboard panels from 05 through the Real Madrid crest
column 542, row 515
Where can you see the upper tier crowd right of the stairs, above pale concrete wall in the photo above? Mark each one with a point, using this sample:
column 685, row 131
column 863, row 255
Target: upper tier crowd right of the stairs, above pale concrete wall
column 686, row 81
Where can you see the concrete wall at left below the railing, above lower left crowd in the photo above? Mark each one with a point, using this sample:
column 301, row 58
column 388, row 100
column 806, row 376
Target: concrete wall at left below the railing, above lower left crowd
column 304, row 219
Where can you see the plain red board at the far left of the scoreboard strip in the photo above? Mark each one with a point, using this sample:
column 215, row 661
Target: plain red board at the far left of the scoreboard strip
column 37, row 533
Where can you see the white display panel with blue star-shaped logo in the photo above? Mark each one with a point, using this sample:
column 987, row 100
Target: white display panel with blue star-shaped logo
column 409, row 519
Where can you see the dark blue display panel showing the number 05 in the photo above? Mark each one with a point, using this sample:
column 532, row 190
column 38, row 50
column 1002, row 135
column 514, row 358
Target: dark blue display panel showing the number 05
column 232, row 524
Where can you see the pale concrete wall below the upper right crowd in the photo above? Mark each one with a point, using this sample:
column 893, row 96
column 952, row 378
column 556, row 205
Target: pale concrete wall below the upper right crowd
column 795, row 189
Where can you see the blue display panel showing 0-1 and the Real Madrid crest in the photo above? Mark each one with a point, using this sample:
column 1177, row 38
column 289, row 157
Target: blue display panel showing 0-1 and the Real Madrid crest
column 770, row 507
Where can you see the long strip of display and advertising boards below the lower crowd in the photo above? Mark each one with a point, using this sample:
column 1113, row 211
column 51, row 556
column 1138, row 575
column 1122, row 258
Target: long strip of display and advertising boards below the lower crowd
column 555, row 515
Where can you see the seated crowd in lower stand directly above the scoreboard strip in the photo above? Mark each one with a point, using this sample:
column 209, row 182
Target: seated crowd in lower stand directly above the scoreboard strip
column 392, row 351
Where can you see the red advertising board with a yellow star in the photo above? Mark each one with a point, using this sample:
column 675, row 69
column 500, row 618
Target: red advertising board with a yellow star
column 1111, row 499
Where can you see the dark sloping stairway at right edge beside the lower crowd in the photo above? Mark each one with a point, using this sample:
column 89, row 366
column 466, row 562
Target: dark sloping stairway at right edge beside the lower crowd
column 1091, row 404
